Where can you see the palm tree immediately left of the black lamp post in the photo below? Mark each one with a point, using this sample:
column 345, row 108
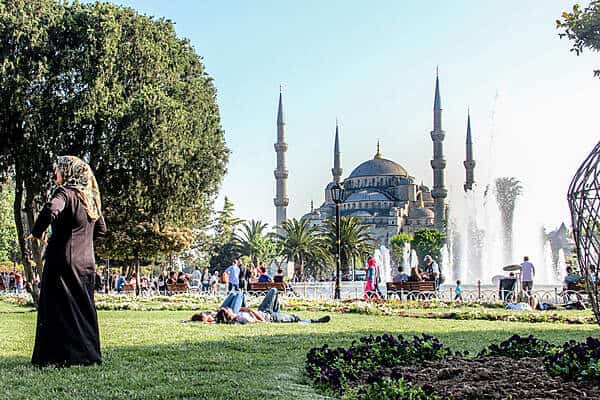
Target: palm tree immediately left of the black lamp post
column 304, row 245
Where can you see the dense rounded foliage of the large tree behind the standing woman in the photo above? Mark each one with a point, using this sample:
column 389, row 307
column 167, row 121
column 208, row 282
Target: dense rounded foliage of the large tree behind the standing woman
column 123, row 92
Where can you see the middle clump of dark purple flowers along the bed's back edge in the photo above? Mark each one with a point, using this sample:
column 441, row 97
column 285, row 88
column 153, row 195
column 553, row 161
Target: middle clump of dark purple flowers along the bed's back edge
column 519, row 347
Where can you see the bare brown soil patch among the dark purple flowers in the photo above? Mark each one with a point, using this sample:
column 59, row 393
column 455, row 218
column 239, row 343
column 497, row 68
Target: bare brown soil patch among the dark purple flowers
column 490, row 378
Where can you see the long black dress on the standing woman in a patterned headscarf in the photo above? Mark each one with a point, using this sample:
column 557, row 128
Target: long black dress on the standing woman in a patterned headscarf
column 67, row 323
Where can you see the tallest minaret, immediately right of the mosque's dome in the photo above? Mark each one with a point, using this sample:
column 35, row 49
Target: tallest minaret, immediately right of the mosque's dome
column 438, row 163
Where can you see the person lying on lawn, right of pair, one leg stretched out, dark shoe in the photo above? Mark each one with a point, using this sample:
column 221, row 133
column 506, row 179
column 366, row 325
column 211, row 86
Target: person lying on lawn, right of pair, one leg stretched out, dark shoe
column 268, row 311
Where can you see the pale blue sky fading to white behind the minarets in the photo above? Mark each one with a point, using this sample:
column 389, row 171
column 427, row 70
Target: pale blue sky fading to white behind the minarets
column 534, row 105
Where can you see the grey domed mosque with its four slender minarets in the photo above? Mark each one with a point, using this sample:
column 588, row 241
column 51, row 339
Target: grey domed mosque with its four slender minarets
column 380, row 192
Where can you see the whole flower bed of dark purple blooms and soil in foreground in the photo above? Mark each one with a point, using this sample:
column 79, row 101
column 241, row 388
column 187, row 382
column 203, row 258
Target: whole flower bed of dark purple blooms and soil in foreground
column 421, row 368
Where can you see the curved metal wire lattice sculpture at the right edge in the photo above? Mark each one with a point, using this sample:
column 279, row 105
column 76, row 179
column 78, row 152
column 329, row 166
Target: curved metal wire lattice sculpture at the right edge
column 584, row 202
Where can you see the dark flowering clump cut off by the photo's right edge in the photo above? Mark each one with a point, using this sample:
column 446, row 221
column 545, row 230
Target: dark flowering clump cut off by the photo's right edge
column 576, row 361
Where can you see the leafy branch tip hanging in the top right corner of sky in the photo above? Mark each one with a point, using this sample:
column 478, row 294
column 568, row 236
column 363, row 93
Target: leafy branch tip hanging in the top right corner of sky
column 582, row 27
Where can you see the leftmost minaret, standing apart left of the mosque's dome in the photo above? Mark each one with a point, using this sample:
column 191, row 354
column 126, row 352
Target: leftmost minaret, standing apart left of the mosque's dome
column 281, row 173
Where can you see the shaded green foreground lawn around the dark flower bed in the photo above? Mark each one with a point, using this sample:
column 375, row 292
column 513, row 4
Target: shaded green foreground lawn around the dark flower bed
column 252, row 364
